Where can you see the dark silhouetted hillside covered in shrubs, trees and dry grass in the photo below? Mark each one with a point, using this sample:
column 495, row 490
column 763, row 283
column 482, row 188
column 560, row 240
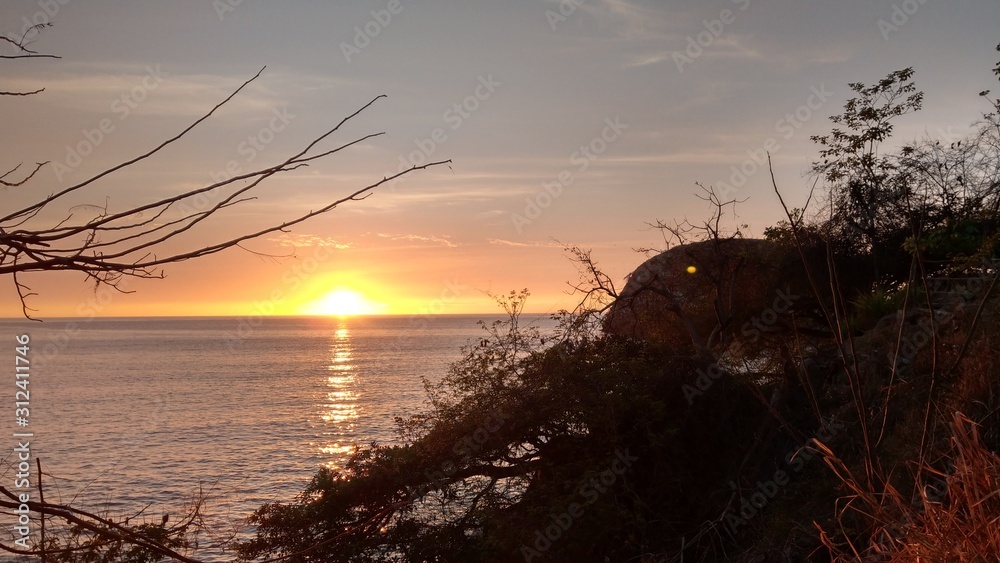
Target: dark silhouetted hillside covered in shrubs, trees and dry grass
column 789, row 399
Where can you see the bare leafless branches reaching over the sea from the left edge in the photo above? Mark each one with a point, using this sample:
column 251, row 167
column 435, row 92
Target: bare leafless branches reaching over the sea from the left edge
column 114, row 245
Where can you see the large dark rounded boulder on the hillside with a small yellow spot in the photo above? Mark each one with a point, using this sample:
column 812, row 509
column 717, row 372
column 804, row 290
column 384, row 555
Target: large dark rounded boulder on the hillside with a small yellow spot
column 690, row 296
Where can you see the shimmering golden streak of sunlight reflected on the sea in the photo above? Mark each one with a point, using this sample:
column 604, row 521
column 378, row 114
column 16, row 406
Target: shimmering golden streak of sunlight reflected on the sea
column 341, row 403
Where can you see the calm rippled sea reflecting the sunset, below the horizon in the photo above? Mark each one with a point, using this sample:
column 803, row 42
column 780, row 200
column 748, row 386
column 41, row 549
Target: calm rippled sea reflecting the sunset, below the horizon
column 134, row 412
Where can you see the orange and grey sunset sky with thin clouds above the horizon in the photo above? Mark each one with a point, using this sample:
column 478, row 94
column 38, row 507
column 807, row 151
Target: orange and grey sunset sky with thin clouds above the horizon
column 573, row 122
